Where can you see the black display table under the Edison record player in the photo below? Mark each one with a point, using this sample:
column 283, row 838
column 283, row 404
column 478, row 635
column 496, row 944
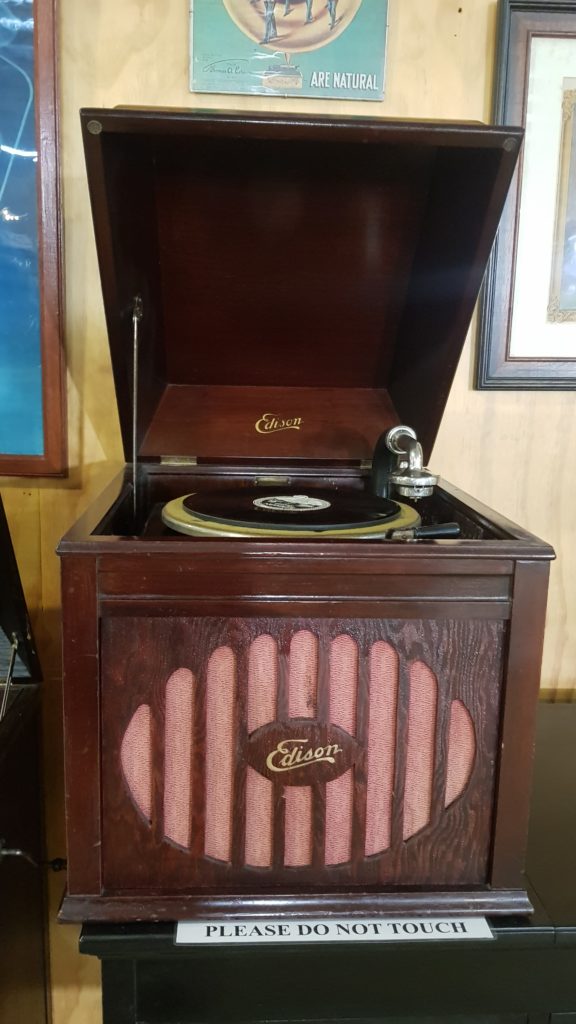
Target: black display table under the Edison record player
column 528, row 973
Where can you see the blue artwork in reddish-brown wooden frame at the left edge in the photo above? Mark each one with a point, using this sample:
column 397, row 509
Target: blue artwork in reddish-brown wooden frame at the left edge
column 32, row 387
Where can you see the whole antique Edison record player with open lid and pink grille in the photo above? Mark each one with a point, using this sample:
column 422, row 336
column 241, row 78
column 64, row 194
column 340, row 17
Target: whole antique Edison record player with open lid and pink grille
column 301, row 673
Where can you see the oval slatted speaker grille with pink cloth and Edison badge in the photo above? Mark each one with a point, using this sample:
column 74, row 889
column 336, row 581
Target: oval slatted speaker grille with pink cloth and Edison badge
column 405, row 733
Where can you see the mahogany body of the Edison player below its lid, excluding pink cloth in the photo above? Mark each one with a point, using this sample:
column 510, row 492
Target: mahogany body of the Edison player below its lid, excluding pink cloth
column 152, row 596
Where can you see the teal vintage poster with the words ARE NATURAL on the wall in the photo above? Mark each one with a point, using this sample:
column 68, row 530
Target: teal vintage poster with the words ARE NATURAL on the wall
column 332, row 50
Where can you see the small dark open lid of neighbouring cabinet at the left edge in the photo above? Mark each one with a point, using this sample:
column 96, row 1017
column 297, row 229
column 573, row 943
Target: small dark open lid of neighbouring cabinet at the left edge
column 15, row 622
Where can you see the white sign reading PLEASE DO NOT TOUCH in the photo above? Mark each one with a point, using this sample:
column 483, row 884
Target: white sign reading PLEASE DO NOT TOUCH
column 217, row 933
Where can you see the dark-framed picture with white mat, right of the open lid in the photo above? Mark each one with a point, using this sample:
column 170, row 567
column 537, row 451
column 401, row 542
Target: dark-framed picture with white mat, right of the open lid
column 528, row 317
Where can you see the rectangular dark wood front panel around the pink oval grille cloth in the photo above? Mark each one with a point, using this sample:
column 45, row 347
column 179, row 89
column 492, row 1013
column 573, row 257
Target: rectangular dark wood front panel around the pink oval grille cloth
column 139, row 657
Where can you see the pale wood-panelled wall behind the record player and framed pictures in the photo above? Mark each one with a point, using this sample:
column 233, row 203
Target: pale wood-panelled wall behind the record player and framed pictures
column 517, row 452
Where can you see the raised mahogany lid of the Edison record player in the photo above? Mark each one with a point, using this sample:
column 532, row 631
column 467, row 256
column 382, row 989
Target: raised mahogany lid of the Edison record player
column 305, row 283
